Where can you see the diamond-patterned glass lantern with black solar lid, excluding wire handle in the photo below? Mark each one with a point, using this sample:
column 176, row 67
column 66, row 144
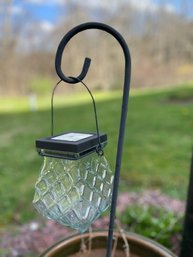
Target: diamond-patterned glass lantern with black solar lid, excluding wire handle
column 75, row 182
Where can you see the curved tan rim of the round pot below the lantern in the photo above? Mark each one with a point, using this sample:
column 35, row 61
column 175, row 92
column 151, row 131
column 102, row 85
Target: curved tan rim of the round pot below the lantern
column 132, row 237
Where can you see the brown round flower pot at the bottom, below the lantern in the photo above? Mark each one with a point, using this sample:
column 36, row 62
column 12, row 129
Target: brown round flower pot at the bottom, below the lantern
column 138, row 246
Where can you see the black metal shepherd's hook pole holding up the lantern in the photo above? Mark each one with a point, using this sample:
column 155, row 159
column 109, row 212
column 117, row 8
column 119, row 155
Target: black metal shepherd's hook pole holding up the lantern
column 120, row 39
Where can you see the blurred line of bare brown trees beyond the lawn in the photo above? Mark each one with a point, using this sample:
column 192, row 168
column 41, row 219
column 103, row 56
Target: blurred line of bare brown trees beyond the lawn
column 161, row 44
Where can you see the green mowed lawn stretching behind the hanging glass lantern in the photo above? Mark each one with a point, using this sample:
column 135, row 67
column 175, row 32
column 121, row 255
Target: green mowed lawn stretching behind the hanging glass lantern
column 157, row 148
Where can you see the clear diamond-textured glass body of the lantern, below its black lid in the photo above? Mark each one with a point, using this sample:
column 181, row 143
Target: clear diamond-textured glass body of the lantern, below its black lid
column 74, row 192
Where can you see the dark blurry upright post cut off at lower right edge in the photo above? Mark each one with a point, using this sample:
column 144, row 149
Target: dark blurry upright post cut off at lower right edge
column 187, row 236
